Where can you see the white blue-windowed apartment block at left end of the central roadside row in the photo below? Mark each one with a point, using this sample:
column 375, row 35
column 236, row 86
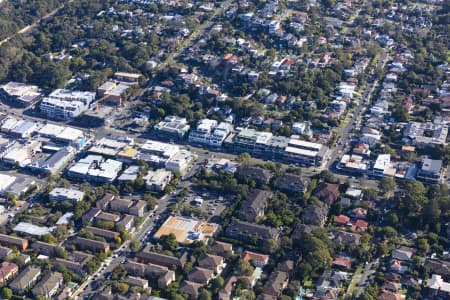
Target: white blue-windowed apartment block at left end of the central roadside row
column 210, row 133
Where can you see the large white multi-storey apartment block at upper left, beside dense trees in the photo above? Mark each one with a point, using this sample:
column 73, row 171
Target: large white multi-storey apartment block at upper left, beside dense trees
column 66, row 104
